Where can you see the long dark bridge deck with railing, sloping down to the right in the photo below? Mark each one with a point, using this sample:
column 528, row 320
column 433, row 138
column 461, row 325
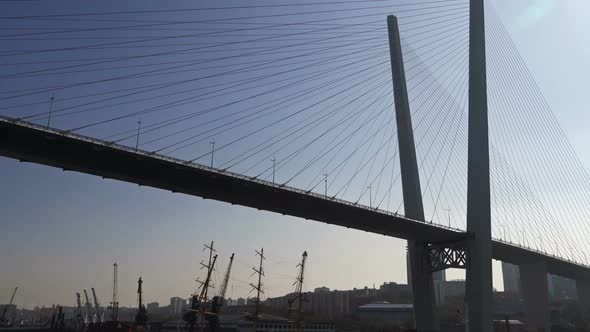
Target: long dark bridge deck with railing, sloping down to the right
column 28, row 142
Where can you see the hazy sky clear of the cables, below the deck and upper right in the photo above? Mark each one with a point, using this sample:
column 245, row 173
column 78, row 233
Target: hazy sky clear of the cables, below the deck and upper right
column 61, row 232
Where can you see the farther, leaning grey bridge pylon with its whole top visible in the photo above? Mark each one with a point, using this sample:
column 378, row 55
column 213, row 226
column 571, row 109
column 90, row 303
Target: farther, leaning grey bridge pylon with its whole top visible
column 421, row 277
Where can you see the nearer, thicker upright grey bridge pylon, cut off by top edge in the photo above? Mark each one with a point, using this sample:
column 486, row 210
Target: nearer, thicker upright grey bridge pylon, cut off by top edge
column 479, row 264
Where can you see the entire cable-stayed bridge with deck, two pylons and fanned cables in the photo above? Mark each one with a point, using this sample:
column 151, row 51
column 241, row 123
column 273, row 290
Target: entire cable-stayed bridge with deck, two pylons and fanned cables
column 288, row 108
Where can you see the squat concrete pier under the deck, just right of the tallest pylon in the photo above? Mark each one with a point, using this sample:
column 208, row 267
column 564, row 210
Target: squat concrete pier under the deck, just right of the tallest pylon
column 535, row 293
